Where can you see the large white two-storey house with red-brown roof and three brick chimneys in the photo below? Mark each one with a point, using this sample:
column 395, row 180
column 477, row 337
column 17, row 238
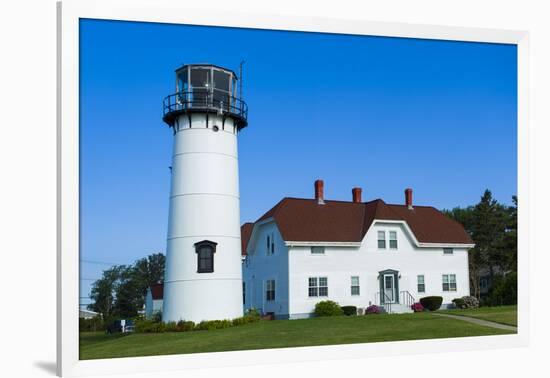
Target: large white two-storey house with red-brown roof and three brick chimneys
column 303, row 251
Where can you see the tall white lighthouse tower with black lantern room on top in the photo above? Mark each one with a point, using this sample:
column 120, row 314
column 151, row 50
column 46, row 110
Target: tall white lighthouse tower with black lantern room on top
column 203, row 277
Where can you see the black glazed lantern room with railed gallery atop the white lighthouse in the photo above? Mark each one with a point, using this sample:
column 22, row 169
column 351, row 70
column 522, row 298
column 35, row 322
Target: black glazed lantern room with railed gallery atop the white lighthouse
column 206, row 88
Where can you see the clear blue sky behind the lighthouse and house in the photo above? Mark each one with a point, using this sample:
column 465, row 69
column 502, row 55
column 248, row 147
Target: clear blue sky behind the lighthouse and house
column 380, row 113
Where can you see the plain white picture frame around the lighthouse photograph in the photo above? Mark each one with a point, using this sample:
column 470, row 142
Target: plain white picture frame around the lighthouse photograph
column 69, row 13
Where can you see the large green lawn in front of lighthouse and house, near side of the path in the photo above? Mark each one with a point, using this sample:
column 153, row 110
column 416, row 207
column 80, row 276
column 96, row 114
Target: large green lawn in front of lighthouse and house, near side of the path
column 282, row 333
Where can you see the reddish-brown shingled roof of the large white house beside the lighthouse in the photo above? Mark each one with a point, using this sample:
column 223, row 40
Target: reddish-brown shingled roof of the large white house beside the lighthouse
column 340, row 221
